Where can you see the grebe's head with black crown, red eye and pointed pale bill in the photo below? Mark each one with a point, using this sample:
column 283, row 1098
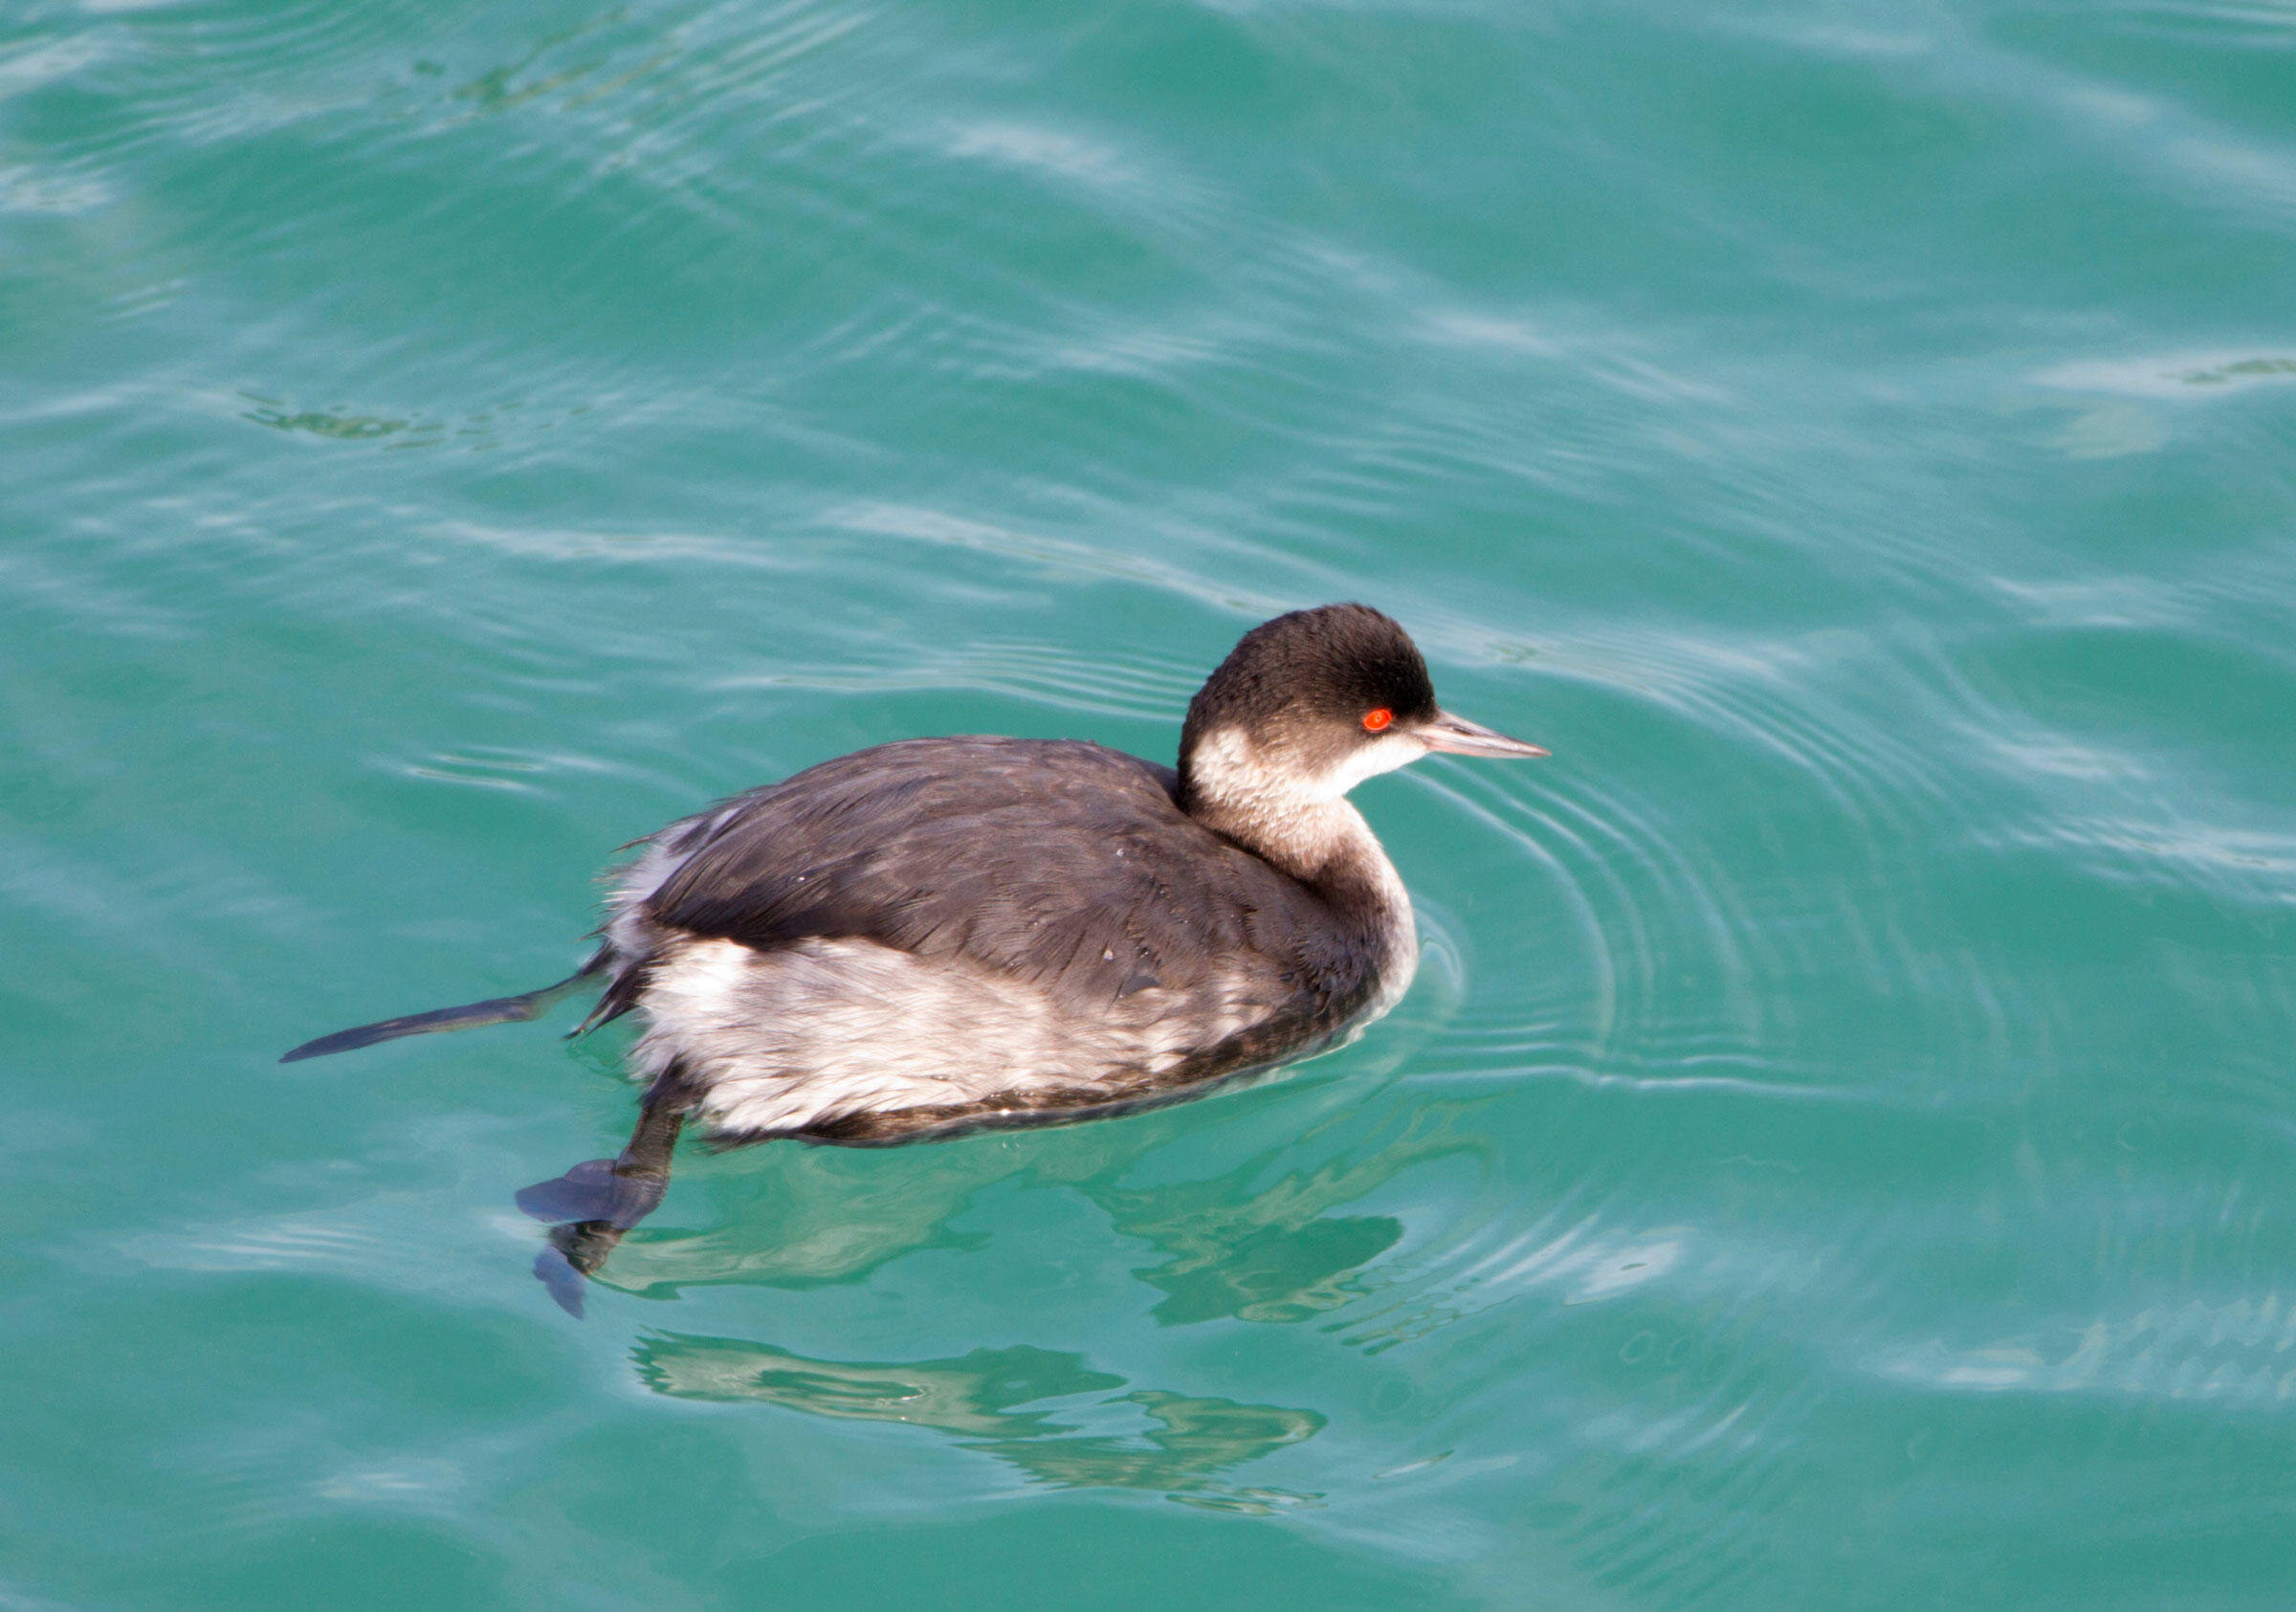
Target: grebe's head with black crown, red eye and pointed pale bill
column 1310, row 706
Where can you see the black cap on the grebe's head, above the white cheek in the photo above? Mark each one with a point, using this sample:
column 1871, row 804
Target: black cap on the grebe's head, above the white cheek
column 1314, row 672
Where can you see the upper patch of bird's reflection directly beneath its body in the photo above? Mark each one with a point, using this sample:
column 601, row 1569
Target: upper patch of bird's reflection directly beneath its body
column 1239, row 1246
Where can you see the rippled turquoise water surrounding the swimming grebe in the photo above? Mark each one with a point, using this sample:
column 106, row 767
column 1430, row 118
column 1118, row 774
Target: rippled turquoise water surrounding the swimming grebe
column 1840, row 1147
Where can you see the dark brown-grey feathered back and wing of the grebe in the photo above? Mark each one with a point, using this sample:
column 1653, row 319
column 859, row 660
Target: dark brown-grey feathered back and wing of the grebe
column 1062, row 865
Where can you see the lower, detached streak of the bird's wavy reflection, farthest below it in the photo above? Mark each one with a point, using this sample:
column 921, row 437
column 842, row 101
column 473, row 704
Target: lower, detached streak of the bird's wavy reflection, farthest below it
column 1177, row 1443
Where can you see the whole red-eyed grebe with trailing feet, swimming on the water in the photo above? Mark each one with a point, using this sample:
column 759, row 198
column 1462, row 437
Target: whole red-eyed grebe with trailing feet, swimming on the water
column 943, row 936
